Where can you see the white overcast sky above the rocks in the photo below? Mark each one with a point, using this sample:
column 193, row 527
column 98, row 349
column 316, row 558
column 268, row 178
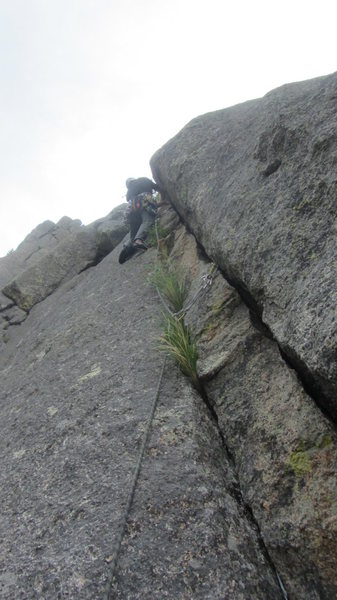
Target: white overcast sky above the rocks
column 90, row 89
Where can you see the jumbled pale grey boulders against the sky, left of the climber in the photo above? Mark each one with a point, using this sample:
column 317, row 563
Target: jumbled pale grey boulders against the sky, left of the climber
column 53, row 254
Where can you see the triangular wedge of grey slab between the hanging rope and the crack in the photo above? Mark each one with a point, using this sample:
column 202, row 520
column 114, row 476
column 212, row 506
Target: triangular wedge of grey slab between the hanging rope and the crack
column 199, row 530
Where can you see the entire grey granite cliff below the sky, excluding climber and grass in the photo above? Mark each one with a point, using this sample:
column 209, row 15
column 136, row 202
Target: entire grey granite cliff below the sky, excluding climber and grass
column 237, row 494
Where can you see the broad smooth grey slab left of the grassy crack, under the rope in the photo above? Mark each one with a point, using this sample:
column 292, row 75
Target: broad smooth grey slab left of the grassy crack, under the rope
column 78, row 379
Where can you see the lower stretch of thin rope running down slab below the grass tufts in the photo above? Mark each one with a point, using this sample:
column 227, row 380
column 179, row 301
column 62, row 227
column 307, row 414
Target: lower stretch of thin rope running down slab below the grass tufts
column 122, row 527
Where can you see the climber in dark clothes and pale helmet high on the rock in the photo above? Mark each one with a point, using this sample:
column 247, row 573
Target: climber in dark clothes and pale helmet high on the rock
column 140, row 214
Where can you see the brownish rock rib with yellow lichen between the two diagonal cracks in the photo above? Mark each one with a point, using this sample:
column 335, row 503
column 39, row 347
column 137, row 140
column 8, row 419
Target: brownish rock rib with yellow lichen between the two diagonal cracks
column 283, row 448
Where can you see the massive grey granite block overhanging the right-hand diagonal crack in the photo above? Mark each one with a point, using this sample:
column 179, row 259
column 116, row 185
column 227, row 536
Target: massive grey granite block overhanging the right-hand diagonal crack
column 257, row 185
